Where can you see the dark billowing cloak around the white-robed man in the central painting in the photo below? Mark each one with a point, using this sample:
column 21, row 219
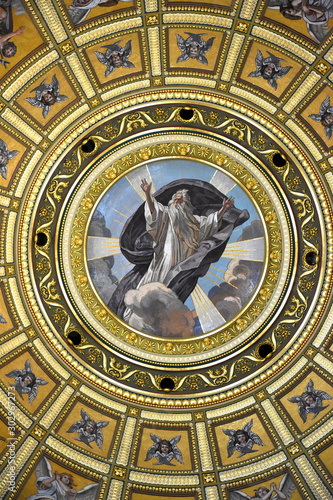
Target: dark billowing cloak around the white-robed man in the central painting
column 137, row 245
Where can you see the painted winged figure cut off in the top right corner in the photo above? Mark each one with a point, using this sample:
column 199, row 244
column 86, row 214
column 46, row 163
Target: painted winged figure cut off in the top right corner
column 315, row 13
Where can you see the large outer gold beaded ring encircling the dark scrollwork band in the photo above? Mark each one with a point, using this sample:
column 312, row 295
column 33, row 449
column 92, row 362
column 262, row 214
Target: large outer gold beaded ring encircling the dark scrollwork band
column 241, row 111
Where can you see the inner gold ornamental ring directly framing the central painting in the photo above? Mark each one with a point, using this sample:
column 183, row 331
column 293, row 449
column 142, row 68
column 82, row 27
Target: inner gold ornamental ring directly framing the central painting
column 271, row 265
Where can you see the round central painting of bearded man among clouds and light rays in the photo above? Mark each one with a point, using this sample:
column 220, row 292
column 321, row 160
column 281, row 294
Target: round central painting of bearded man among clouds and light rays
column 176, row 248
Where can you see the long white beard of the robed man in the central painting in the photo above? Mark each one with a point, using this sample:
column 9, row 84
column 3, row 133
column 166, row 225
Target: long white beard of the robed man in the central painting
column 184, row 224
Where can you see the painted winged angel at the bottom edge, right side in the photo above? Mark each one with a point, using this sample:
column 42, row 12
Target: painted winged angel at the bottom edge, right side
column 283, row 492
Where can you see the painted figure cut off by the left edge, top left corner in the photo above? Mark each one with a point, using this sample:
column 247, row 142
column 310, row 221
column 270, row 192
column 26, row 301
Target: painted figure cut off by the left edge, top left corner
column 7, row 46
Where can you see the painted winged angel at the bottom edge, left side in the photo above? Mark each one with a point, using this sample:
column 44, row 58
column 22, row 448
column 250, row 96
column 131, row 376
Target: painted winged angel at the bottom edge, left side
column 59, row 486
